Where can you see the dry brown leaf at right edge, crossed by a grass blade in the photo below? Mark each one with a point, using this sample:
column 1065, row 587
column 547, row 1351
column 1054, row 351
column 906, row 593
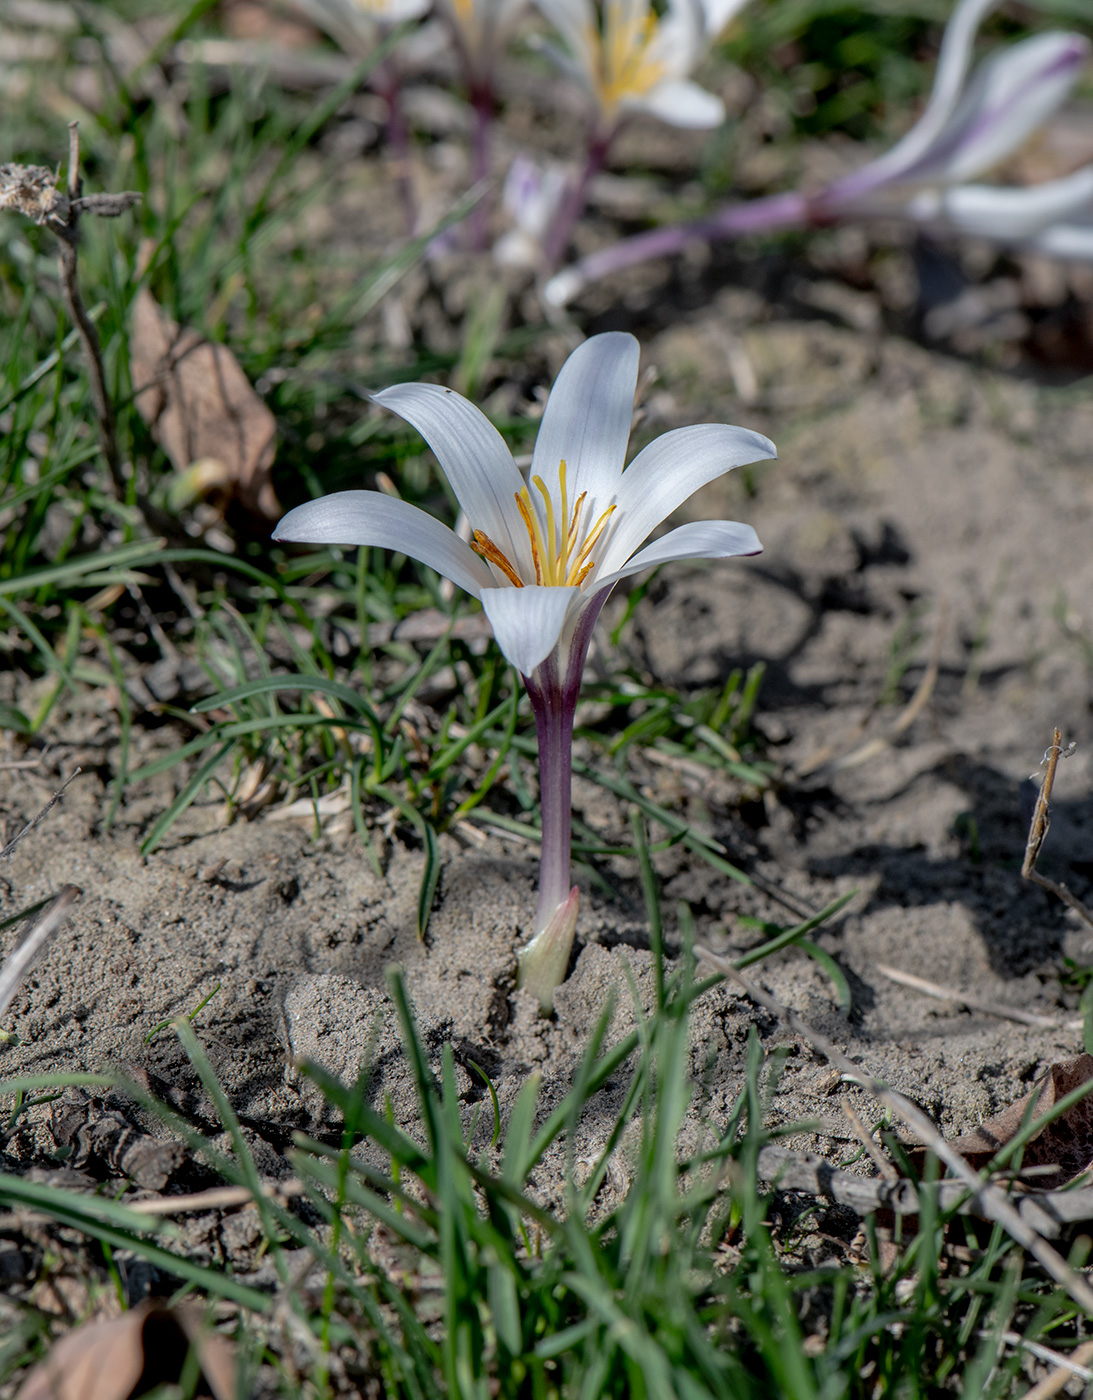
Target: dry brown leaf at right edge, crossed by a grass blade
column 1066, row 1144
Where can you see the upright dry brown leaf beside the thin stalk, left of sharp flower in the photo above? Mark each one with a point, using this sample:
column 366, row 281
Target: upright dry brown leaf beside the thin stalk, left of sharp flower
column 202, row 409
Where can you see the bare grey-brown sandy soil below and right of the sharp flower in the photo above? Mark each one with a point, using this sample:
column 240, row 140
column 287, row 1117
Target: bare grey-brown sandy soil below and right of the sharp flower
column 919, row 503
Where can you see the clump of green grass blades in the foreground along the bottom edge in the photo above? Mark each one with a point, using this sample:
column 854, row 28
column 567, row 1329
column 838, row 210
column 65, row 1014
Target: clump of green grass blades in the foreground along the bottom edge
column 433, row 1270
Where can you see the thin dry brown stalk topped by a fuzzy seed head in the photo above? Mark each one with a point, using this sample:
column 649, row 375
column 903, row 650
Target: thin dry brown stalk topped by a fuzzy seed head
column 33, row 191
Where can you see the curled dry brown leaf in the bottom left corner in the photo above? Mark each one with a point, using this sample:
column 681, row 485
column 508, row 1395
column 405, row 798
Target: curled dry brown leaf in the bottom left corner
column 132, row 1354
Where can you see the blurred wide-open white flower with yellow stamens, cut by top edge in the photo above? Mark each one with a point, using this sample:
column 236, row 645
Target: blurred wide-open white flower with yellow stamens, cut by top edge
column 632, row 59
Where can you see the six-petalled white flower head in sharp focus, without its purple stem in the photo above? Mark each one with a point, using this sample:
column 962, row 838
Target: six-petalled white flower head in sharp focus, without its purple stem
column 546, row 555
